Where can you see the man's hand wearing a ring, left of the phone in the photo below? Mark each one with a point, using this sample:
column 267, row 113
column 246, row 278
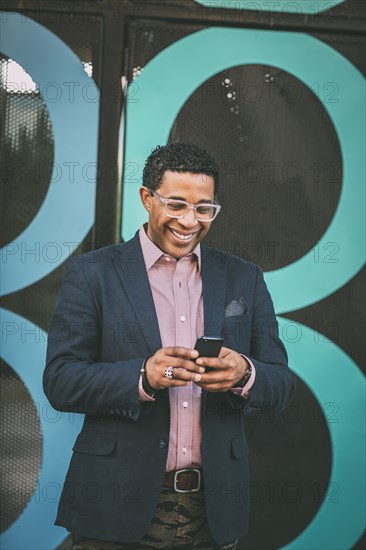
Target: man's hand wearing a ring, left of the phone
column 182, row 361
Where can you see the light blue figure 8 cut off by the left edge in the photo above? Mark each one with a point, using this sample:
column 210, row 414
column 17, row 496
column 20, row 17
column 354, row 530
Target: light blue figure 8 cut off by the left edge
column 63, row 220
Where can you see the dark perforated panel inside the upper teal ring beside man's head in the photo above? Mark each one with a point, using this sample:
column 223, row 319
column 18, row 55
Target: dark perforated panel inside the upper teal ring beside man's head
column 266, row 129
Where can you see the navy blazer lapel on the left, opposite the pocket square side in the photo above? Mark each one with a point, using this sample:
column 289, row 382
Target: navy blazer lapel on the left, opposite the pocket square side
column 130, row 266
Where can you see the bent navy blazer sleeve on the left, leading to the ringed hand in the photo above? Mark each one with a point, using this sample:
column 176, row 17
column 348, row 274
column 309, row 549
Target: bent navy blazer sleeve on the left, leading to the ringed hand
column 74, row 378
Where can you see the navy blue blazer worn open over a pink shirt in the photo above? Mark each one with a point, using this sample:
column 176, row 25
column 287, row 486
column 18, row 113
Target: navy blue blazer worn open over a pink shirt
column 103, row 327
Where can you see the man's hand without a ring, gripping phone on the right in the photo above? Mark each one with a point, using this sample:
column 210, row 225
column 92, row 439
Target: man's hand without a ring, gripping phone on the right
column 227, row 369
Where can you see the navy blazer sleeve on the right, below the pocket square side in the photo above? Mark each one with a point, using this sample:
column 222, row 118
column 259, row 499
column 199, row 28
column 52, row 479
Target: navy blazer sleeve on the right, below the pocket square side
column 274, row 382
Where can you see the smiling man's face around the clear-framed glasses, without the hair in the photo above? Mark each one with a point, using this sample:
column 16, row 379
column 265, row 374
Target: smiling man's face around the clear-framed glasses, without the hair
column 178, row 237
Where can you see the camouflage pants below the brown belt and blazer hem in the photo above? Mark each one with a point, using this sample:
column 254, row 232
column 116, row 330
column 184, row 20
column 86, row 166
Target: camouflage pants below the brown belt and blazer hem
column 179, row 522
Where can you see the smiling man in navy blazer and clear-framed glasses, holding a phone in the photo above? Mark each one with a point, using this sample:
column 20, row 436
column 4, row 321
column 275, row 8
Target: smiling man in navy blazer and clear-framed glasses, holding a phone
column 161, row 461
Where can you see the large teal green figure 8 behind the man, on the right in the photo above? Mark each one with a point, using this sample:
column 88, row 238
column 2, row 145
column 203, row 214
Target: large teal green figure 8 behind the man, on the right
column 167, row 82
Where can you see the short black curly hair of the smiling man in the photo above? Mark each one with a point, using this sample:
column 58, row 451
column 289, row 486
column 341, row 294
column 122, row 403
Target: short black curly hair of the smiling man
column 178, row 157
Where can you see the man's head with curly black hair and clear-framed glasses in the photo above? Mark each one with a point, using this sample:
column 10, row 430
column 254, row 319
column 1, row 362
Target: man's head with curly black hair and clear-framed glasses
column 179, row 172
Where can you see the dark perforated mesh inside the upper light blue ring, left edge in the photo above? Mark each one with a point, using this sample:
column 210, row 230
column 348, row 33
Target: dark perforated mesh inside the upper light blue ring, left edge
column 26, row 149
